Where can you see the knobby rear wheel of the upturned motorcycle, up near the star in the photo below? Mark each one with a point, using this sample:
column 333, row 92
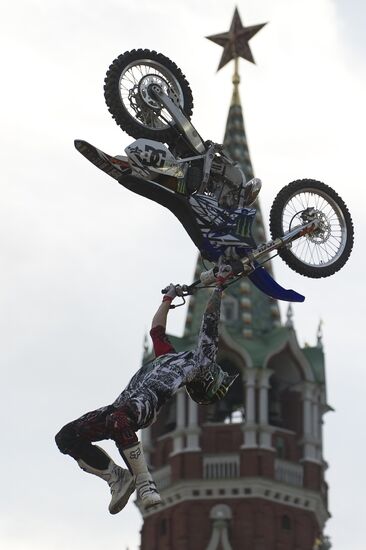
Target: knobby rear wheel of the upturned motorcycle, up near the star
column 126, row 92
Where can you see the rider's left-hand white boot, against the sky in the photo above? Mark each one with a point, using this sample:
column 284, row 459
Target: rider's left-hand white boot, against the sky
column 120, row 481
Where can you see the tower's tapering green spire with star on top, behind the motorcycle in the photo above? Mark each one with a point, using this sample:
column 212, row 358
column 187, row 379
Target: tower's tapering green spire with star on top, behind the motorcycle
column 252, row 313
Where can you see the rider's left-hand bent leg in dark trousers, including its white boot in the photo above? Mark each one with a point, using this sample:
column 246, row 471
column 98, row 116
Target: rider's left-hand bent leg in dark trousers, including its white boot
column 75, row 440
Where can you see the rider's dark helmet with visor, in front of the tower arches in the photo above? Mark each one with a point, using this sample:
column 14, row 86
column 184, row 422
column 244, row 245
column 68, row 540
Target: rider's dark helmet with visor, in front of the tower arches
column 211, row 386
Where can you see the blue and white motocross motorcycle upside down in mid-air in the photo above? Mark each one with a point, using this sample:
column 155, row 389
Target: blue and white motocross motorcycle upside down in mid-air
column 149, row 98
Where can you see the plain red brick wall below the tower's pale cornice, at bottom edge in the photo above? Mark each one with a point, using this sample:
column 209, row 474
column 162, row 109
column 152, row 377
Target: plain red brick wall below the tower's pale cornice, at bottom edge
column 256, row 525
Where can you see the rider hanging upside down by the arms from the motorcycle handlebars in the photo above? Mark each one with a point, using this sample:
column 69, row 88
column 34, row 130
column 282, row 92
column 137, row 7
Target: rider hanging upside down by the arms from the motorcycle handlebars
column 137, row 406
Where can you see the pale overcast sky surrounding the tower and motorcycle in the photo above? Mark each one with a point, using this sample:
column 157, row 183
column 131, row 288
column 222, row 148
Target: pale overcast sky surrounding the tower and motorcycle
column 83, row 260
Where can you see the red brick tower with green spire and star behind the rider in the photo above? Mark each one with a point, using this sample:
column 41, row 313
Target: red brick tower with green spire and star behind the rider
column 232, row 480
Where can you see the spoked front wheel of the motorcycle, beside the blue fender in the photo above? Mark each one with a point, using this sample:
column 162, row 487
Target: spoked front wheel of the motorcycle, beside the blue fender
column 324, row 251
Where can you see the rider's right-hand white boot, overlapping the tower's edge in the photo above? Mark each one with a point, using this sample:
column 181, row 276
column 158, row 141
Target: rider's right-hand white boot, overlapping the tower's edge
column 145, row 485
